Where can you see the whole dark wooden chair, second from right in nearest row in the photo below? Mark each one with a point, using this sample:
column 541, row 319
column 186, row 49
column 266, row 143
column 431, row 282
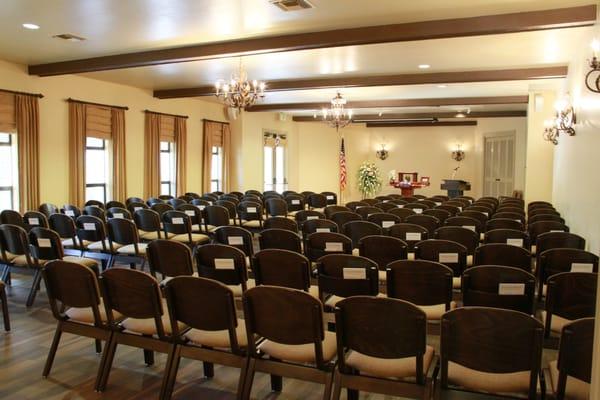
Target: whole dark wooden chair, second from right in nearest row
column 490, row 350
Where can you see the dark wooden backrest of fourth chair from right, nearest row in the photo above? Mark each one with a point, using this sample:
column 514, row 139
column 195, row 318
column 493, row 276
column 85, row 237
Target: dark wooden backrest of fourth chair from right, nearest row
column 300, row 318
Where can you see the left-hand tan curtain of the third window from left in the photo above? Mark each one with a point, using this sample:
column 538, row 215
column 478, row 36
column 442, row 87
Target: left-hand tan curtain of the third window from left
column 152, row 155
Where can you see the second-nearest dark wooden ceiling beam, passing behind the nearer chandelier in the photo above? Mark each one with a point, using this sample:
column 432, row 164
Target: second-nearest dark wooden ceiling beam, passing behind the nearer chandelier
column 514, row 74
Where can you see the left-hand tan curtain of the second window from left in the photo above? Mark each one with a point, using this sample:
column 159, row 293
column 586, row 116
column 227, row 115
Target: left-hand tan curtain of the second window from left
column 77, row 125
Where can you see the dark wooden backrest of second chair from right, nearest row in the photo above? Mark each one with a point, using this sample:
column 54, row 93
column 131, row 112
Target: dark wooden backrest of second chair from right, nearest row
column 491, row 340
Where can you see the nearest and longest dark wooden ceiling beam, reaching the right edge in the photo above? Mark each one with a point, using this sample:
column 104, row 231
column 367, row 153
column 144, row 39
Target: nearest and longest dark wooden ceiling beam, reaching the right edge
column 425, row 30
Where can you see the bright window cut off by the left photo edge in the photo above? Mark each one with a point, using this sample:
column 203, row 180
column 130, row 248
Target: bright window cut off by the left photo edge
column 9, row 176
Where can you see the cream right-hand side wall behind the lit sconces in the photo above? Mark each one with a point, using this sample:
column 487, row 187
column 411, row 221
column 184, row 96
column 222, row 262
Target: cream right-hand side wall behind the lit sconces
column 576, row 191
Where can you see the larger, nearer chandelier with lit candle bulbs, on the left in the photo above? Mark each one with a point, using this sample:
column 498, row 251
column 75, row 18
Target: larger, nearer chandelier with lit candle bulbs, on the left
column 239, row 92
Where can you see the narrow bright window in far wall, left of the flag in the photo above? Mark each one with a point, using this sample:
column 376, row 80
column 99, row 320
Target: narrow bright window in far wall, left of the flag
column 274, row 154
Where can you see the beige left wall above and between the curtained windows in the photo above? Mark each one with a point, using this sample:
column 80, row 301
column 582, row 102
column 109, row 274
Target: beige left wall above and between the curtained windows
column 54, row 125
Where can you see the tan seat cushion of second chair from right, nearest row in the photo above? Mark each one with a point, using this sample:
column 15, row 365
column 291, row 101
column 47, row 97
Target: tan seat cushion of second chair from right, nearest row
column 514, row 382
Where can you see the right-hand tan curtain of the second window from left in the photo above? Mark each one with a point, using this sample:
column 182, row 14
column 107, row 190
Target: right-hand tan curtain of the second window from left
column 119, row 154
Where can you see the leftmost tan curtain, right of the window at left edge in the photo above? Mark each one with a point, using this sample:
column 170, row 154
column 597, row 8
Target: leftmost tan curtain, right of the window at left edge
column 28, row 130
